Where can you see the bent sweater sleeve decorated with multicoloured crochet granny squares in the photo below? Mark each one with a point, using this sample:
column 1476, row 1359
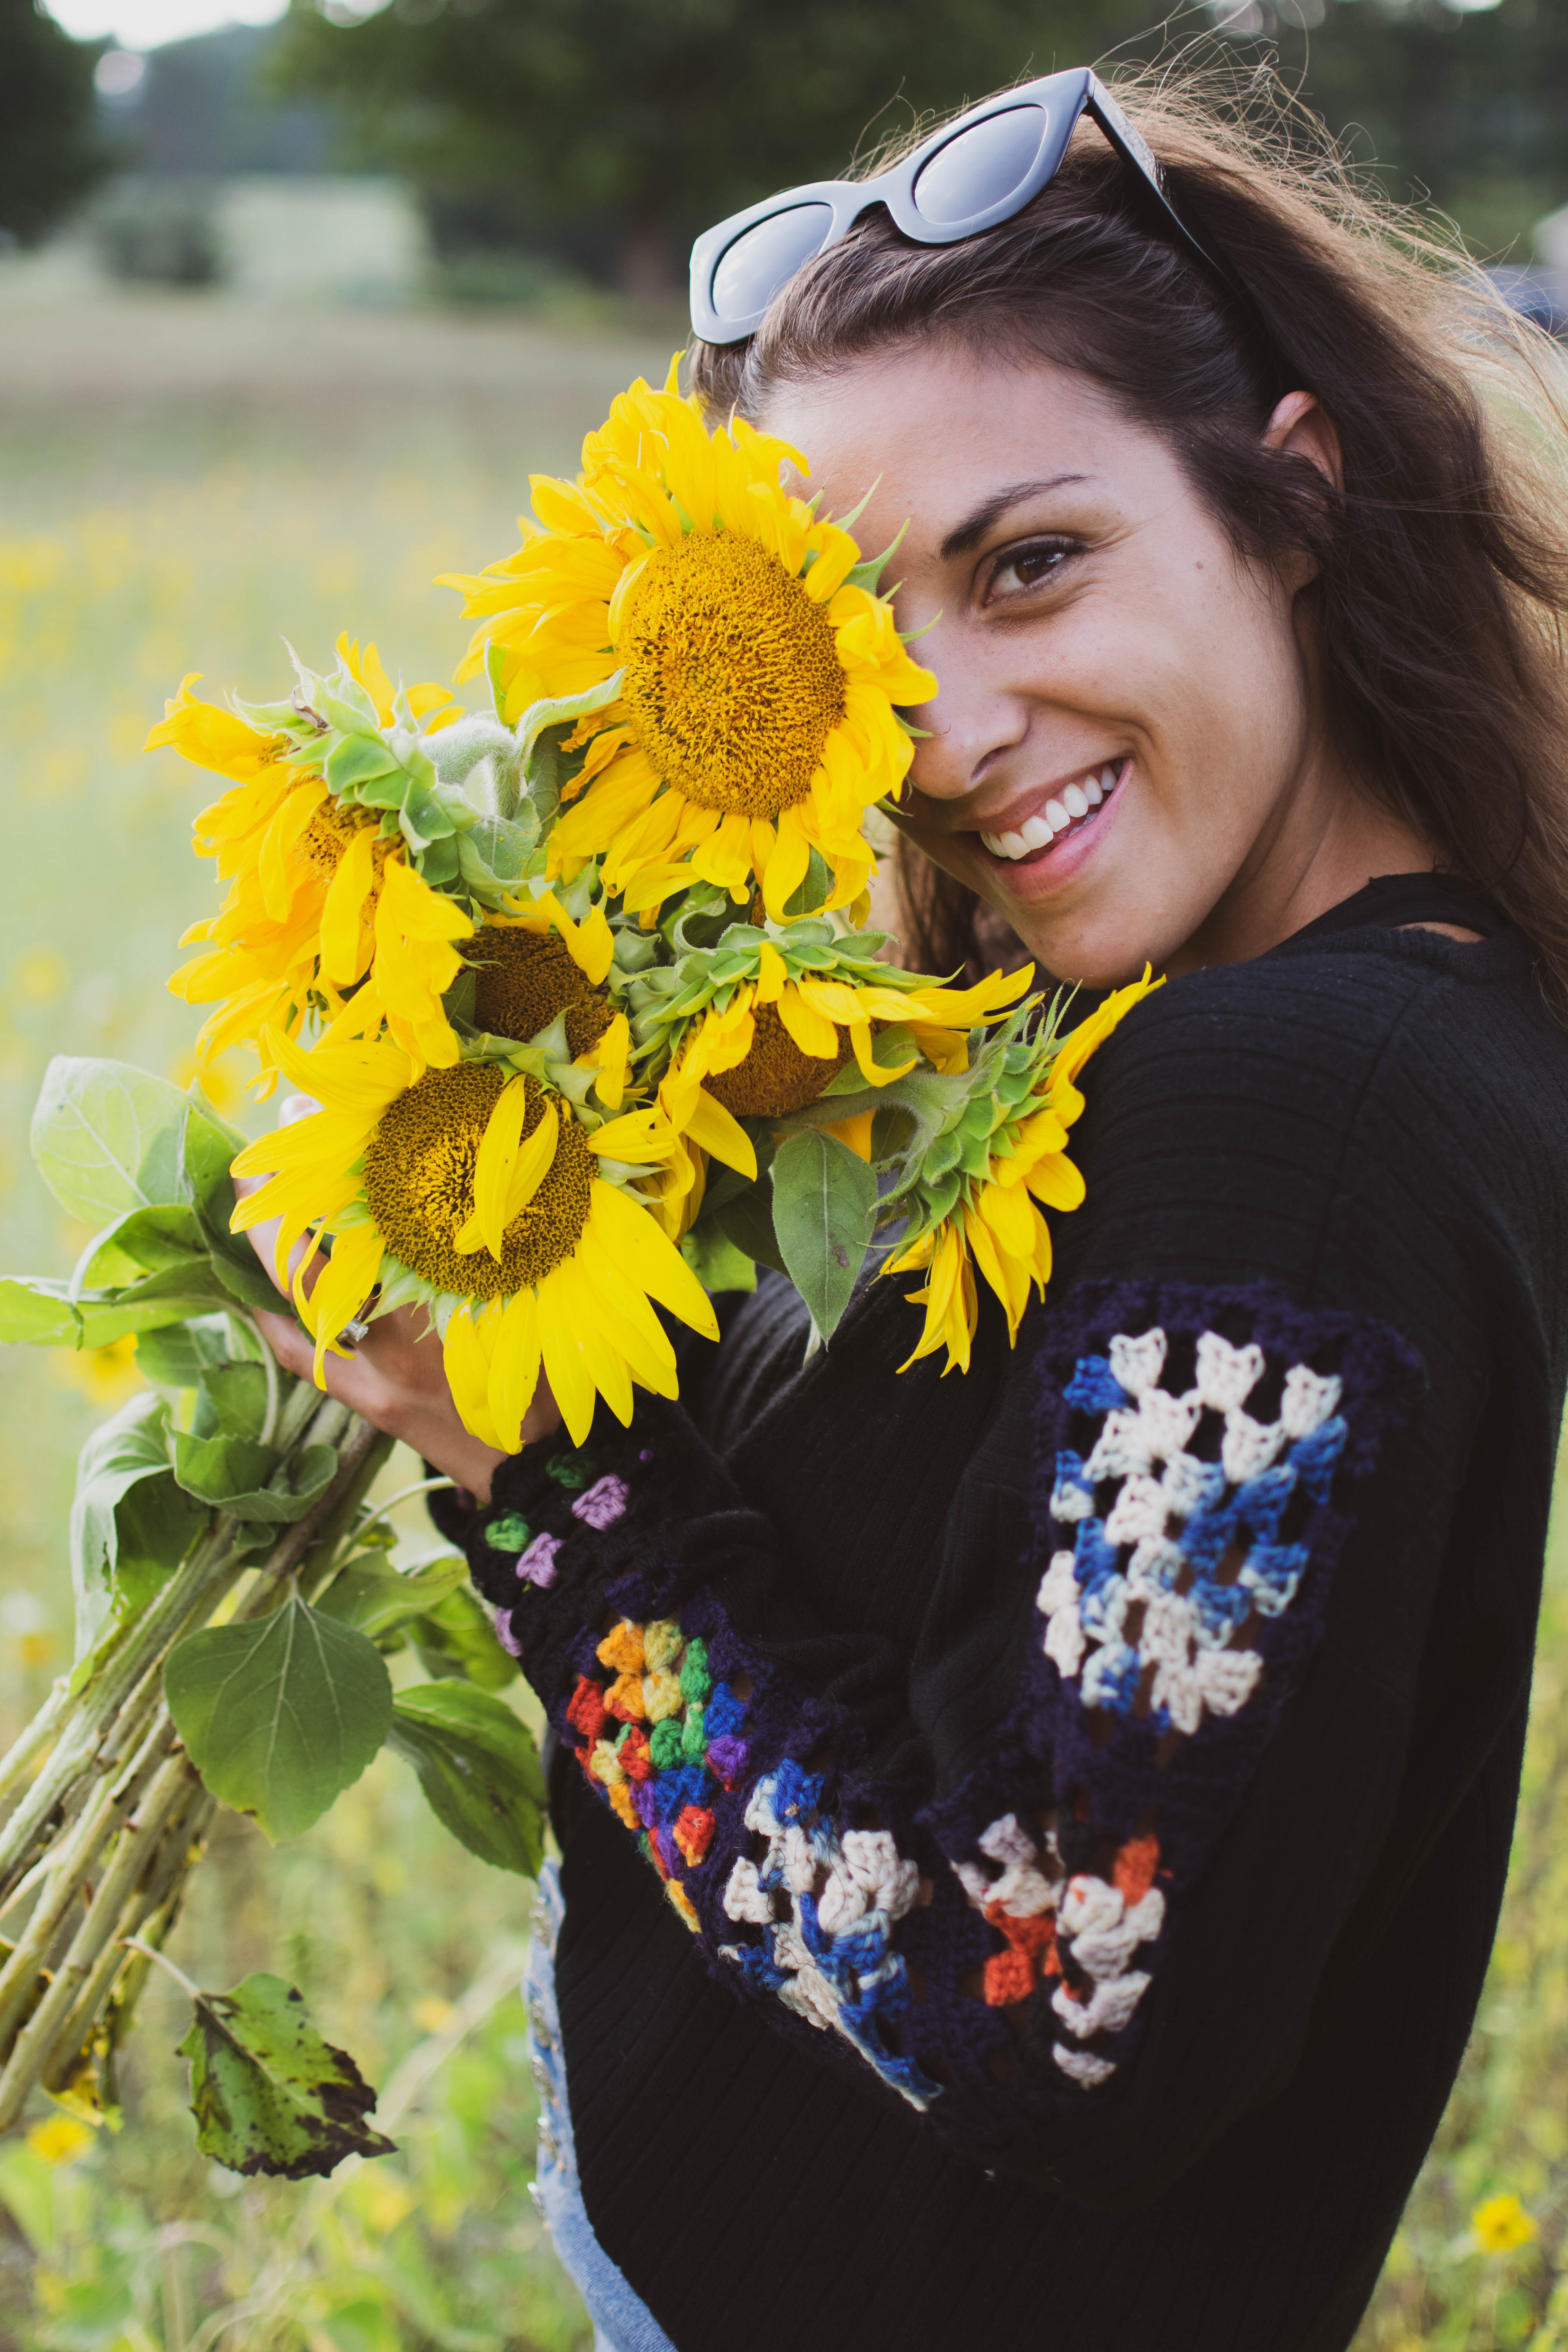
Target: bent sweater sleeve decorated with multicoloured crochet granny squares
column 996, row 1951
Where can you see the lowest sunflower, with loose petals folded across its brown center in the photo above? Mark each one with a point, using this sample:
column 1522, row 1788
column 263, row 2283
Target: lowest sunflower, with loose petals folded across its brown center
column 478, row 1194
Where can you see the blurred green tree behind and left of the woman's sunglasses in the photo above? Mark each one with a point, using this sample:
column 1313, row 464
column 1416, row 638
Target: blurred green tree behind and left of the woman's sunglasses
column 659, row 116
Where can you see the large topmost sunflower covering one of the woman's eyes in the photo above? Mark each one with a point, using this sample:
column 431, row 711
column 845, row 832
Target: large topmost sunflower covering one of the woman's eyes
column 760, row 676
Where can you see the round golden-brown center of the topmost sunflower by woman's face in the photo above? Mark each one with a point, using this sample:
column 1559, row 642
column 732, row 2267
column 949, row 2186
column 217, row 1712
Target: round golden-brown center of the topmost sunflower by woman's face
column 732, row 674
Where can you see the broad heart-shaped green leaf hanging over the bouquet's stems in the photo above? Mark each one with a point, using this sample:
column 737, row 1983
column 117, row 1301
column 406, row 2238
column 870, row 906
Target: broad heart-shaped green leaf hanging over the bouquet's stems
column 281, row 1713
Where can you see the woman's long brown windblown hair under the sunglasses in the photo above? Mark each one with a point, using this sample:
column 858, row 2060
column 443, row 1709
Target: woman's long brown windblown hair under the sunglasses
column 1442, row 568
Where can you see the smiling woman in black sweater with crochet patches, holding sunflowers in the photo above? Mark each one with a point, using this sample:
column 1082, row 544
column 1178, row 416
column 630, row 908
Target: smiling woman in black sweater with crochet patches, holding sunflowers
column 1125, row 1737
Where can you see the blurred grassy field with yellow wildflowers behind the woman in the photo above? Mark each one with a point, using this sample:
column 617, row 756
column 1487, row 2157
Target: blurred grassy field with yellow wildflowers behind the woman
column 180, row 486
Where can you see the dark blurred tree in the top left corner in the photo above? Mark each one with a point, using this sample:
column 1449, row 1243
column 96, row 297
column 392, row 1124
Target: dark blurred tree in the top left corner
column 51, row 149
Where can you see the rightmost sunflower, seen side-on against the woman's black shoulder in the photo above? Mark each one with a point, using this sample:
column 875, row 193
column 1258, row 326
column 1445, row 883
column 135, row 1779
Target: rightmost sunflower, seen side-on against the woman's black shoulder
column 972, row 1191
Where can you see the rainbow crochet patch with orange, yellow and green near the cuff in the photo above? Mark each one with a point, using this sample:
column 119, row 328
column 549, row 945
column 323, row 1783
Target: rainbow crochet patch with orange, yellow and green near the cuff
column 659, row 1735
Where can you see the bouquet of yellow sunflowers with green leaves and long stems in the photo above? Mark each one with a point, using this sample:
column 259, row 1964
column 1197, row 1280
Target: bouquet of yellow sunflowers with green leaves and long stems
column 589, row 1022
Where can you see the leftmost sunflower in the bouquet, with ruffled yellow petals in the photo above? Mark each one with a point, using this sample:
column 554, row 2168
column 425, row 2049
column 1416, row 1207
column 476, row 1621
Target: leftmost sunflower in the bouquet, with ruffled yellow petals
column 321, row 897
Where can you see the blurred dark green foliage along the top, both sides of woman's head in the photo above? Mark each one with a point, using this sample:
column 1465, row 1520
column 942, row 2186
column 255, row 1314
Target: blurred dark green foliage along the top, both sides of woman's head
column 617, row 128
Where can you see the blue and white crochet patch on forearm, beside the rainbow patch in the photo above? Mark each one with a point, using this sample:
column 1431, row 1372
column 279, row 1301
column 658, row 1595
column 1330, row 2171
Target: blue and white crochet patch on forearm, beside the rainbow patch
column 829, row 1906
